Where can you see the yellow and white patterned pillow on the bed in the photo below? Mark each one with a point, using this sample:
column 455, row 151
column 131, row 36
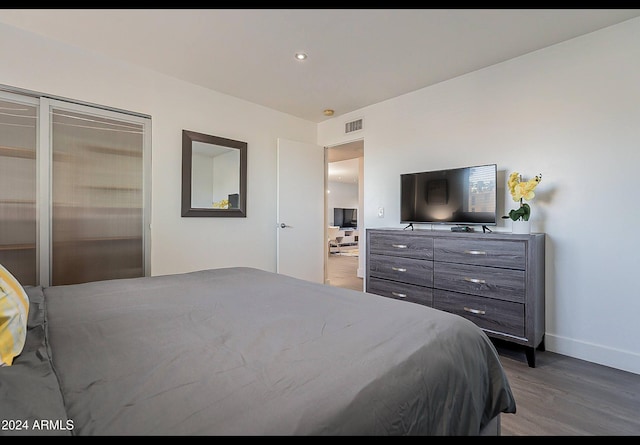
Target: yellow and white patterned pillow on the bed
column 14, row 310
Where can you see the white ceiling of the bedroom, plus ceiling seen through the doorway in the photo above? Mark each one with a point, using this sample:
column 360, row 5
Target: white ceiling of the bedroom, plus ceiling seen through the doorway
column 356, row 57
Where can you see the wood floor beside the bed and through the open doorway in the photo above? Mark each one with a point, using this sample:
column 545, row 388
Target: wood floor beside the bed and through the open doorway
column 561, row 396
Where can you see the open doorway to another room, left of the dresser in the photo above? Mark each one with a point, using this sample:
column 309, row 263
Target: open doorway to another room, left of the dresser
column 344, row 210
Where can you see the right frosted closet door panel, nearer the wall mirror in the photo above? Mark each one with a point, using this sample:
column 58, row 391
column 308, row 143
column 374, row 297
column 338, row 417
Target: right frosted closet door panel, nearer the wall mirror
column 98, row 206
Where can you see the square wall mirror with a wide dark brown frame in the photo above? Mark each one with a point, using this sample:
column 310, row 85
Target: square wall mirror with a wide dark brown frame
column 214, row 176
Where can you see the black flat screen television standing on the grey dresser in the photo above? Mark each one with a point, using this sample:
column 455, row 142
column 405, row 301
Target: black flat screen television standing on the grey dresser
column 458, row 196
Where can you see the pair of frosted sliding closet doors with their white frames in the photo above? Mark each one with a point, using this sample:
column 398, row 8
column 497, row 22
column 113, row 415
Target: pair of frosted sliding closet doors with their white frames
column 75, row 191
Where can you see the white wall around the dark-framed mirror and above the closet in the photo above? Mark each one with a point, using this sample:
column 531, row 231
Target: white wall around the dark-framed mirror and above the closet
column 177, row 244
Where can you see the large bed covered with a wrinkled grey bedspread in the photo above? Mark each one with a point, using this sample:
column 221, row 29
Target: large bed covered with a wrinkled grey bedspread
column 242, row 351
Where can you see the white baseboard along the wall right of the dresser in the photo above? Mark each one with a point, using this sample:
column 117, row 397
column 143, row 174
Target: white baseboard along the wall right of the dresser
column 591, row 352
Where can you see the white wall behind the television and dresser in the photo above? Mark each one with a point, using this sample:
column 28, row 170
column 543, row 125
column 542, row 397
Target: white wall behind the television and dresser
column 570, row 112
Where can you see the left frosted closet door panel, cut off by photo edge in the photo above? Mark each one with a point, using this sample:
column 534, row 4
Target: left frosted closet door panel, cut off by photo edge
column 18, row 229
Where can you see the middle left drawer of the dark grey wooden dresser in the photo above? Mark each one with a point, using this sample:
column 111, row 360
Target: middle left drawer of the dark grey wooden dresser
column 407, row 270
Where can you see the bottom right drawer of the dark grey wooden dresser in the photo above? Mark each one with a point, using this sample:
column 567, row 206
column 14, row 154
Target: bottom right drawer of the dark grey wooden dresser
column 494, row 315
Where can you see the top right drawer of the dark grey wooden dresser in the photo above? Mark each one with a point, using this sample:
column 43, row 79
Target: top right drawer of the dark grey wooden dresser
column 496, row 253
